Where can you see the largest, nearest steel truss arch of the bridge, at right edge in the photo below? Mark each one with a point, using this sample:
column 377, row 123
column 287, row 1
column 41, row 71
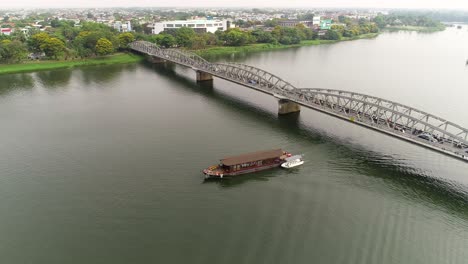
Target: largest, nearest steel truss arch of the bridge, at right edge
column 384, row 113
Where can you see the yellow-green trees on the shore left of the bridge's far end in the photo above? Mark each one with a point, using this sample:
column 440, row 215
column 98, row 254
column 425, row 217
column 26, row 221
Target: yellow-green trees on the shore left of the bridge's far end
column 63, row 41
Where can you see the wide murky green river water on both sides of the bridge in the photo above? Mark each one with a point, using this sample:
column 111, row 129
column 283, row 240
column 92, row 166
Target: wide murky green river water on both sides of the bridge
column 103, row 164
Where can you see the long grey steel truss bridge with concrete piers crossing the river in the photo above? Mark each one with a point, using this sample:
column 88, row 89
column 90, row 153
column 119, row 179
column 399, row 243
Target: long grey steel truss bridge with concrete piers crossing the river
column 385, row 116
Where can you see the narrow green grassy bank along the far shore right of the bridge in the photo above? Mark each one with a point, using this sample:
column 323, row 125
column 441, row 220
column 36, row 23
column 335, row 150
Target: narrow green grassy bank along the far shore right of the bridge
column 226, row 50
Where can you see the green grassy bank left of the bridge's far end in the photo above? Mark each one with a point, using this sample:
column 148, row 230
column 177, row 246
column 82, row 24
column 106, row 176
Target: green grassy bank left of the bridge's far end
column 119, row 58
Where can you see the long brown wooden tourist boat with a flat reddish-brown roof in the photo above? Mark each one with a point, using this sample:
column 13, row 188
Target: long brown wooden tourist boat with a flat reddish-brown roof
column 246, row 163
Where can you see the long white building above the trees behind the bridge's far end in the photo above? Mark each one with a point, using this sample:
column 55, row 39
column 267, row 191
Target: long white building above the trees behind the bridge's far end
column 198, row 25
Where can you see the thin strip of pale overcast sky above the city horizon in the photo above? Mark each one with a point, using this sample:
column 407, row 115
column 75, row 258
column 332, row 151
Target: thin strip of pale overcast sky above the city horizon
column 445, row 4
